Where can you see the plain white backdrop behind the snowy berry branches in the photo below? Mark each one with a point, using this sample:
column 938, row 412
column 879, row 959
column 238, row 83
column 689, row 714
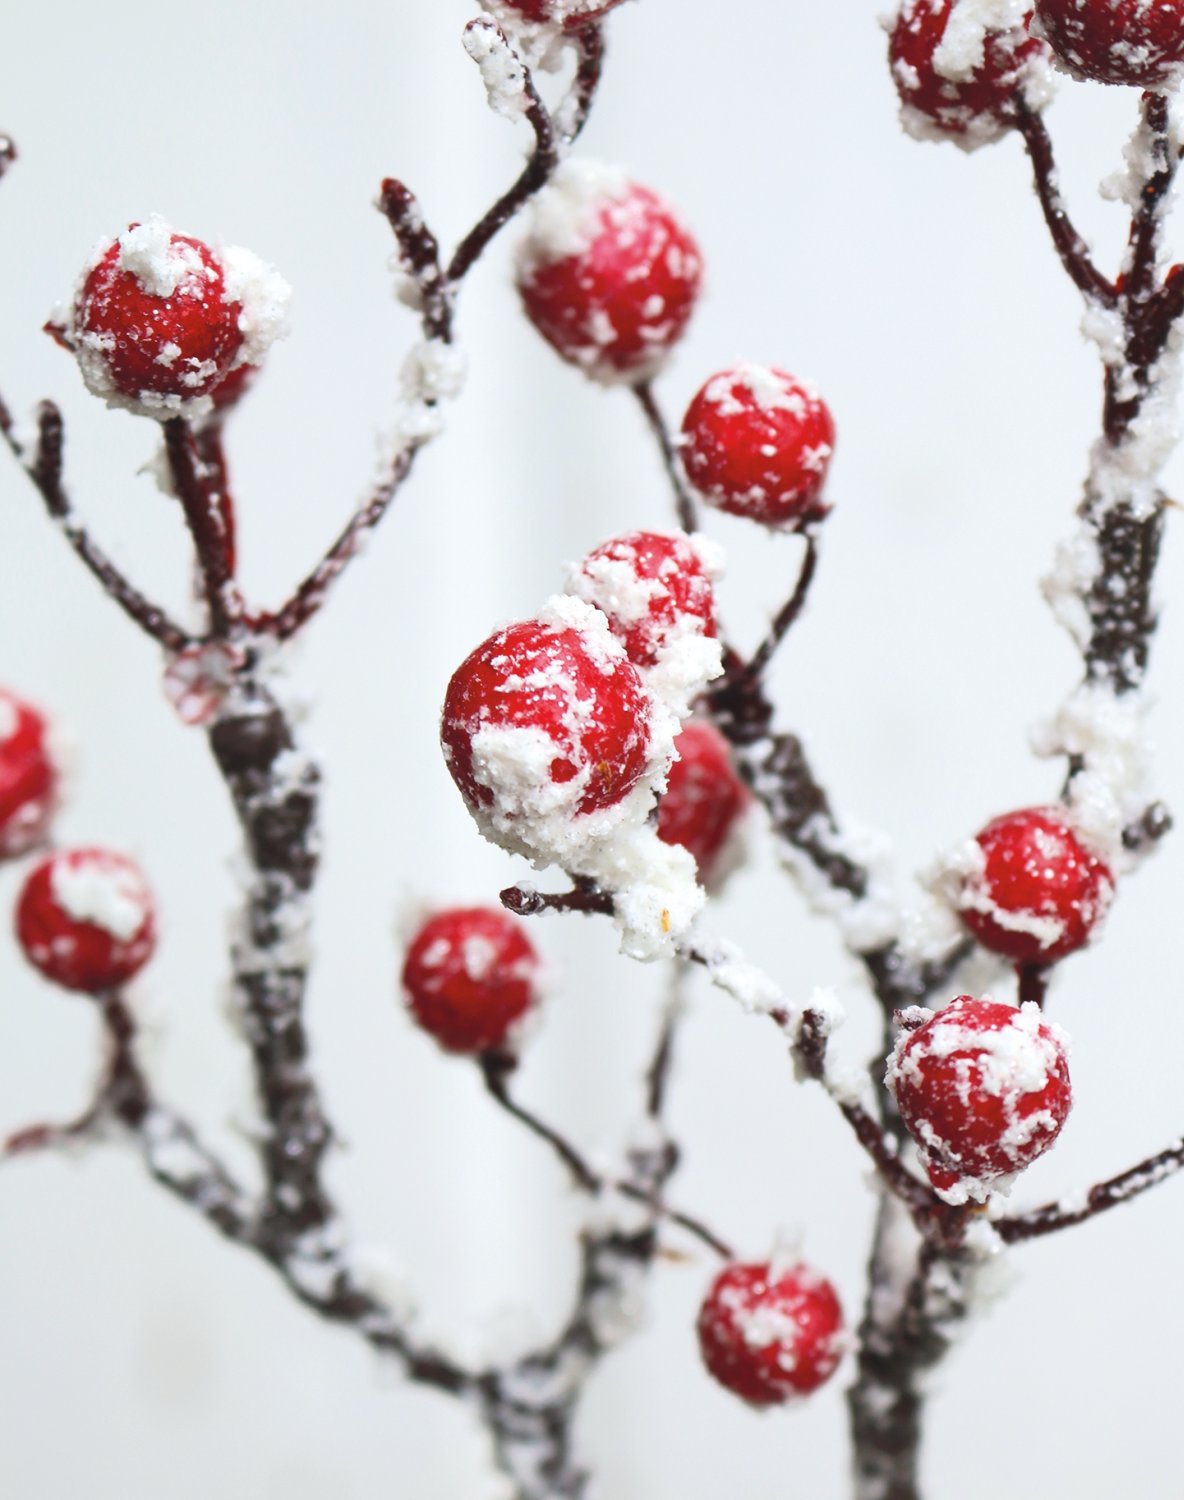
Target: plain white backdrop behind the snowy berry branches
column 140, row 1355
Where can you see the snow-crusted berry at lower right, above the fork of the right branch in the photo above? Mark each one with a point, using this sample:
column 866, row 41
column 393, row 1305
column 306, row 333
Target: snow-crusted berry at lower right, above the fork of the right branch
column 984, row 1090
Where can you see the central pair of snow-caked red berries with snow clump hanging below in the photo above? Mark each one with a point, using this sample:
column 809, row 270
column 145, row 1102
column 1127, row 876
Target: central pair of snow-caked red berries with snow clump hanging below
column 560, row 743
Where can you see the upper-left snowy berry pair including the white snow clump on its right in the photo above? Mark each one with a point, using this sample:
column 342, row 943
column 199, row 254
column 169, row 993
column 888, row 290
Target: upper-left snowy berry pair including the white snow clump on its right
column 161, row 322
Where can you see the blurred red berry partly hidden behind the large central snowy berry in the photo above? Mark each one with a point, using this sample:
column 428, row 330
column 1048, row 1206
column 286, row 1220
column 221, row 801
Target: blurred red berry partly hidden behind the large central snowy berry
column 705, row 797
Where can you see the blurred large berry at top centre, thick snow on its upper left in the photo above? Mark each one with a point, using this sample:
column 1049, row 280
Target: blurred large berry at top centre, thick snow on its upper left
column 607, row 274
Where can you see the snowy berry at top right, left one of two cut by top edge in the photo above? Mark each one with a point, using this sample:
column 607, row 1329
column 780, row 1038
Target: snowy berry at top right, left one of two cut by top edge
column 960, row 68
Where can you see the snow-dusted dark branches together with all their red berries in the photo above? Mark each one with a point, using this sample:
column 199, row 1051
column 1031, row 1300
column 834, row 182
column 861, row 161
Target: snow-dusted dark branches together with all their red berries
column 622, row 737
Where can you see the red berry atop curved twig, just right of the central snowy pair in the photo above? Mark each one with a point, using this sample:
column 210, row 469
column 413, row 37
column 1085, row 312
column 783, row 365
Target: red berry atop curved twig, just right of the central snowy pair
column 757, row 443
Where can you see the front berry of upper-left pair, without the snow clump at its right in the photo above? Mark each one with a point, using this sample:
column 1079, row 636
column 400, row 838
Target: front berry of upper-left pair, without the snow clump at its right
column 154, row 319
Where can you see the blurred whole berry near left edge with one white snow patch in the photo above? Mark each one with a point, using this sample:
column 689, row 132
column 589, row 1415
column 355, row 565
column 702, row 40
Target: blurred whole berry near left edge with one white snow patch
column 86, row 920
